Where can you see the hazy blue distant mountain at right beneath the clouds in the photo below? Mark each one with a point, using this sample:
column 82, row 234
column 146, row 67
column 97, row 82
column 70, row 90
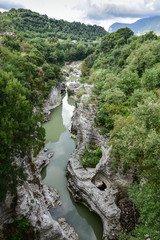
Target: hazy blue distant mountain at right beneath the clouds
column 141, row 26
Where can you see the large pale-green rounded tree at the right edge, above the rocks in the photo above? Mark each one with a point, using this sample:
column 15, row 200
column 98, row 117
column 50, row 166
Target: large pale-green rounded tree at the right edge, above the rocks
column 136, row 141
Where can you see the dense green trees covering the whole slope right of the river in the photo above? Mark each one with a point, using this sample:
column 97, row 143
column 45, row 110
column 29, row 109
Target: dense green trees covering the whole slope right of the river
column 125, row 70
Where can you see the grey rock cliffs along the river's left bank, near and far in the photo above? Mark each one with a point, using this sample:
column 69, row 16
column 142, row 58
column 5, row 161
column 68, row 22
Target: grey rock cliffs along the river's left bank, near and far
column 33, row 199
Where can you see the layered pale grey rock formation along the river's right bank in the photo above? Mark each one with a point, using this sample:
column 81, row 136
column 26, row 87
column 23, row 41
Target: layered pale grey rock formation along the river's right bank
column 85, row 184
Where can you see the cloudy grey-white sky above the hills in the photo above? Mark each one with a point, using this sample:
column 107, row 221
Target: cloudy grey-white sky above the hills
column 100, row 12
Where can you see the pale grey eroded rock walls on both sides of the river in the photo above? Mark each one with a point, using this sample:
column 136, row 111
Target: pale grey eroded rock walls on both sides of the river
column 33, row 198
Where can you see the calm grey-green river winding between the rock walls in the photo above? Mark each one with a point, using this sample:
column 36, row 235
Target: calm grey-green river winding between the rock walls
column 88, row 225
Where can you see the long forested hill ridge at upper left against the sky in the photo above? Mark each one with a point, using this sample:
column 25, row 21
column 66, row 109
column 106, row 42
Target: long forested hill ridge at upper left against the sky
column 33, row 24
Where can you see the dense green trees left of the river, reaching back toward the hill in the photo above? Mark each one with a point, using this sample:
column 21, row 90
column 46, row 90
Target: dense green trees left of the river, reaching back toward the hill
column 29, row 67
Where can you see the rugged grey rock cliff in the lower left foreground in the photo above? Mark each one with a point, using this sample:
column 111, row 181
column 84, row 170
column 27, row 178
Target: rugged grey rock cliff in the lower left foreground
column 32, row 202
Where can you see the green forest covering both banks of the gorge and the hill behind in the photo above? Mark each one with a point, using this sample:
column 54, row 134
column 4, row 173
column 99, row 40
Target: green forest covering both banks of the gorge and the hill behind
column 125, row 71
